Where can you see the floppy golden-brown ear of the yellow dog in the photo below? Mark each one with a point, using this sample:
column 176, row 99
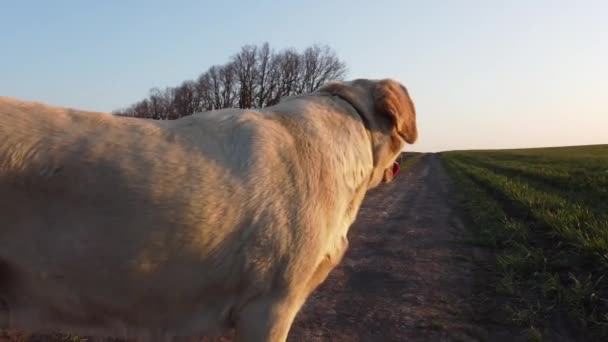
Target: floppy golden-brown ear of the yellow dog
column 392, row 99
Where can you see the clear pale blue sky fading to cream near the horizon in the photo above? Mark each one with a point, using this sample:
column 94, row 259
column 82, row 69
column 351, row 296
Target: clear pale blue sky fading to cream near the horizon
column 483, row 74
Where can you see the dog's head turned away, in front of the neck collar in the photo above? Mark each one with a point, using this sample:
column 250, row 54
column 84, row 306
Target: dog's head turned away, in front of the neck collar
column 389, row 115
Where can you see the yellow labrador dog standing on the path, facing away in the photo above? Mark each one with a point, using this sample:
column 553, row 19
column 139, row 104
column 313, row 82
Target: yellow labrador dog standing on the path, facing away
column 230, row 218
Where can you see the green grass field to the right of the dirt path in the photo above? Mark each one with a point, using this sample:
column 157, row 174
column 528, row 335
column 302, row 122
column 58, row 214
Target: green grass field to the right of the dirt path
column 544, row 215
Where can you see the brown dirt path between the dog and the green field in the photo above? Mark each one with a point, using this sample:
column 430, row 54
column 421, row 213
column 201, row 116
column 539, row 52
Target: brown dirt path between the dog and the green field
column 405, row 277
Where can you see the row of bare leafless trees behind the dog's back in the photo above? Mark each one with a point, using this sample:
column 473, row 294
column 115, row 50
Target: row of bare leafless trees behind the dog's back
column 255, row 77
